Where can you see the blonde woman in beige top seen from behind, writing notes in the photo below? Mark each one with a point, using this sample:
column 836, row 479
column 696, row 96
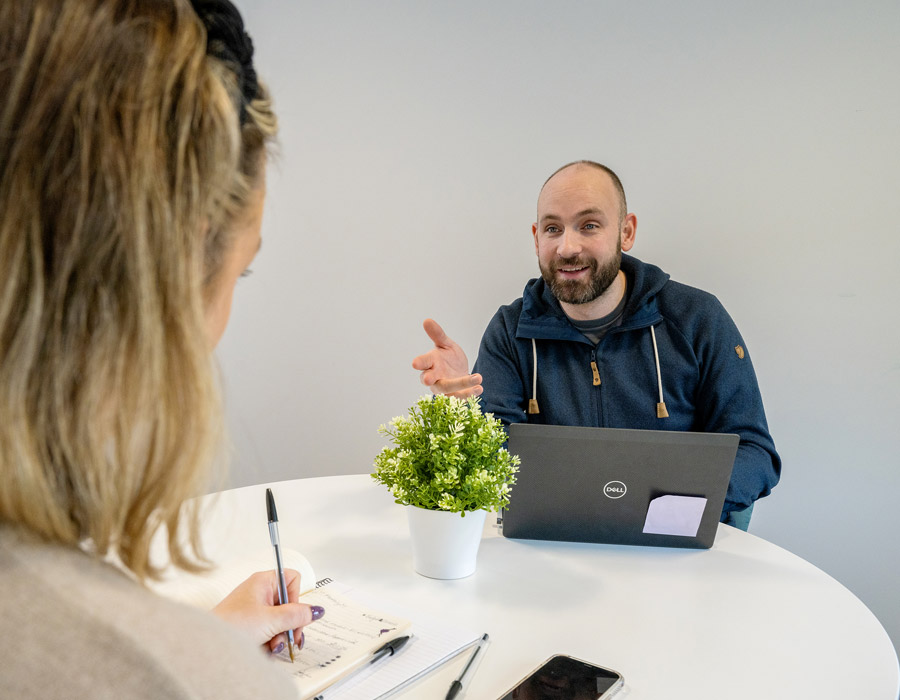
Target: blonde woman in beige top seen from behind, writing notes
column 132, row 157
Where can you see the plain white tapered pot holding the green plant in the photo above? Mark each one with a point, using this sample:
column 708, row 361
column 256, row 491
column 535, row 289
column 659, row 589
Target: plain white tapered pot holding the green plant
column 445, row 545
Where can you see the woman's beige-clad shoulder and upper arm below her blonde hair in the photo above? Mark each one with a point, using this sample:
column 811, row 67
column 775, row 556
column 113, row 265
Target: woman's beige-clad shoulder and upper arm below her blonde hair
column 73, row 626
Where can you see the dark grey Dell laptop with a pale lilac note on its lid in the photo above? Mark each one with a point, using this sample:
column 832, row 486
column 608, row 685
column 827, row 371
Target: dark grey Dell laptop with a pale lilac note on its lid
column 654, row 488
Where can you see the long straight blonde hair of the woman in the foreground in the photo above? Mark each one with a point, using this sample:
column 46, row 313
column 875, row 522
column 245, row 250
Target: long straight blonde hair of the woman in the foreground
column 123, row 164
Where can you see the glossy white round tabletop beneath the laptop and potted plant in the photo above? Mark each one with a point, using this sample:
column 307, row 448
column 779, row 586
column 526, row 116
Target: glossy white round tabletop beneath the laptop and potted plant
column 743, row 620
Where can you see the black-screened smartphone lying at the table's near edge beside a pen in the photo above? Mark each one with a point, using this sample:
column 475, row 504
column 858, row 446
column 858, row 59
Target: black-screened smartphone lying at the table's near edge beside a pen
column 567, row 678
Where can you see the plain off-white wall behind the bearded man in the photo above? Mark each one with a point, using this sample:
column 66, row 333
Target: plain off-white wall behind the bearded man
column 759, row 147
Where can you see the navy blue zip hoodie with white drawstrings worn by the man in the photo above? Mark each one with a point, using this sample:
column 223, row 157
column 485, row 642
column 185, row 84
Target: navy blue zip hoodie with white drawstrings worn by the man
column 708, row 382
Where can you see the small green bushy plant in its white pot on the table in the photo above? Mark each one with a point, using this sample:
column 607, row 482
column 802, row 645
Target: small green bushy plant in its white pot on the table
column 449, row 466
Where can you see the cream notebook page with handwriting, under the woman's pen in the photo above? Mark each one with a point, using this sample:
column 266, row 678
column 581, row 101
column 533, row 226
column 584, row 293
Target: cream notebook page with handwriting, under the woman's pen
column 343, row 637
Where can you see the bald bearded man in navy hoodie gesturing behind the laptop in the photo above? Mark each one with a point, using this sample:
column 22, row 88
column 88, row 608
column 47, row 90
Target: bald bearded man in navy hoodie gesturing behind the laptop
column 603, row 339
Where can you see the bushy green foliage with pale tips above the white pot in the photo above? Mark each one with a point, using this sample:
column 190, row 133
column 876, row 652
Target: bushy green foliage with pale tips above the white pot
column 447, row 455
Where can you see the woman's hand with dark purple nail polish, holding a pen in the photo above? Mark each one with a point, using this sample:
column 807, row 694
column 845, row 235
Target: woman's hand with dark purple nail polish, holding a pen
column 253, row 607
